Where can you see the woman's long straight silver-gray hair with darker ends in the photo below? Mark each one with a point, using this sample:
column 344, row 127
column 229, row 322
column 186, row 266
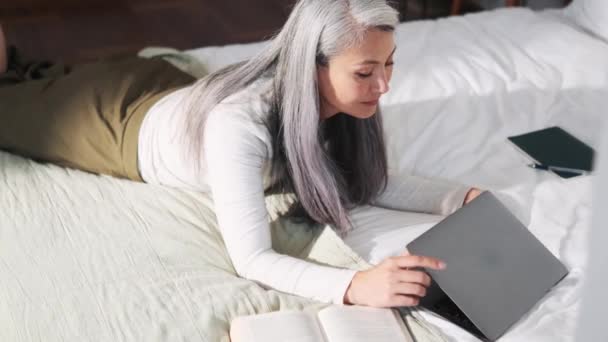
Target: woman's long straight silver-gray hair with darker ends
column 331, row 166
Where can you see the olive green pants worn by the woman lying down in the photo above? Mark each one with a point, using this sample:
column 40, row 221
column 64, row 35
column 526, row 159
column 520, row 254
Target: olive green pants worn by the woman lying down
column 89, row 118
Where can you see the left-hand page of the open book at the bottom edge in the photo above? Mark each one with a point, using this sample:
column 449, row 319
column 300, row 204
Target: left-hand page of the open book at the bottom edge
column 295, row 326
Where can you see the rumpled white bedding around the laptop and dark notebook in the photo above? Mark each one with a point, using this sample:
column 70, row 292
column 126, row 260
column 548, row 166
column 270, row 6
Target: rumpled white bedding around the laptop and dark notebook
column 461, row 86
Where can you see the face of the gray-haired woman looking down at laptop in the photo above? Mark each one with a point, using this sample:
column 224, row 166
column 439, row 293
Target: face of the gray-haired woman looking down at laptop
column 354, row 80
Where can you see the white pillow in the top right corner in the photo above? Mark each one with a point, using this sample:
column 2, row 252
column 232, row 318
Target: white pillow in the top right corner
column 592, row 15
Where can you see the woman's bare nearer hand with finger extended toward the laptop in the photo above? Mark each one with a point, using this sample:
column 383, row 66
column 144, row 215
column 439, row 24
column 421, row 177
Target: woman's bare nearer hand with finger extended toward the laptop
column 392, row 282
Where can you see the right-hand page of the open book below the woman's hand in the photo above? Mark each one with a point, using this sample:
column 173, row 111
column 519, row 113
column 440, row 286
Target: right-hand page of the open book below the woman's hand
column 361, row 323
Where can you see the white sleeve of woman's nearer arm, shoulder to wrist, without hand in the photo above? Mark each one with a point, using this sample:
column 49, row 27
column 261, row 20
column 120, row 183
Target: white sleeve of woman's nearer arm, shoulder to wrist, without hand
column 234, row 153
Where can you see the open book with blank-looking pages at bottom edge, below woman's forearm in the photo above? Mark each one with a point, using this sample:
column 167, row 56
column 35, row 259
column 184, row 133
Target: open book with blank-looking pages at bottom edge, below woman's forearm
column 349, row 323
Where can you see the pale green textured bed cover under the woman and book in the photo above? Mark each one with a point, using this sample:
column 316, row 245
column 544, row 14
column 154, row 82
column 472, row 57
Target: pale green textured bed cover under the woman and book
column 136, row 262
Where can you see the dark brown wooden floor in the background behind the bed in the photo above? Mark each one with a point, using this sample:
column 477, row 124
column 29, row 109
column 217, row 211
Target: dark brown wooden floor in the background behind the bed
column 85, row 30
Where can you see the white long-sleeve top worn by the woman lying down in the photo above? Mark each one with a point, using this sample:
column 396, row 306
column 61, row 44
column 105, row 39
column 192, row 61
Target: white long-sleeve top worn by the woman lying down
column 236, row 154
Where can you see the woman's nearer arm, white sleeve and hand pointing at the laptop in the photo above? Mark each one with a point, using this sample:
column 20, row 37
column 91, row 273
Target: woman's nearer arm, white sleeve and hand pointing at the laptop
column 235, row 151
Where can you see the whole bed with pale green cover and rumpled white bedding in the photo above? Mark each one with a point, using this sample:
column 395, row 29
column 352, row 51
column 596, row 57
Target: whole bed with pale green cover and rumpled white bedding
column 93, row 258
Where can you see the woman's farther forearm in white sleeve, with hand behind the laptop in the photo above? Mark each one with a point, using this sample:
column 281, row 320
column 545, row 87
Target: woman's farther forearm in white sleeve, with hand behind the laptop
column 420, row 194
